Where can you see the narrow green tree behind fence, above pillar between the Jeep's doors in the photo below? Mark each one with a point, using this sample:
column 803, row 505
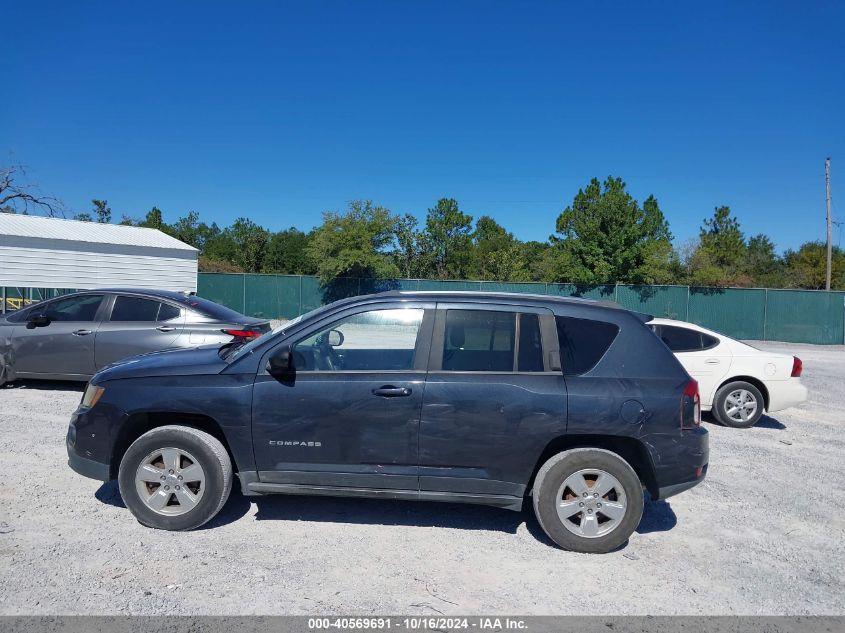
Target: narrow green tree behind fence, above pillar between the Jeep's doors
column 448, row 239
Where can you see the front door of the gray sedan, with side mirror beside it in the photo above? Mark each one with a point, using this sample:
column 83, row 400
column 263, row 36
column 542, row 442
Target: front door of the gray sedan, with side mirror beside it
column 65, row 347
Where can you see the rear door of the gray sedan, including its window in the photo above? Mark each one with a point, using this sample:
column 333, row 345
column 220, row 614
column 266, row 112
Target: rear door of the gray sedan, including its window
column 136, row 325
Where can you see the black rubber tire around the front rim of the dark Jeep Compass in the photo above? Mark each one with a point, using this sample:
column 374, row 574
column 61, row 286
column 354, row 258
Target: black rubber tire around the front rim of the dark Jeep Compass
column 209, row 453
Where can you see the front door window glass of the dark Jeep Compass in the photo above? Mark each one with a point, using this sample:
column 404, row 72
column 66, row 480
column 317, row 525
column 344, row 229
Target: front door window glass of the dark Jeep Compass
column 379, row 340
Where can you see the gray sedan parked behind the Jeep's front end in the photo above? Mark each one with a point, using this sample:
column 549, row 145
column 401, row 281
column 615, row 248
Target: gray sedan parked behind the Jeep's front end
column 73, row 336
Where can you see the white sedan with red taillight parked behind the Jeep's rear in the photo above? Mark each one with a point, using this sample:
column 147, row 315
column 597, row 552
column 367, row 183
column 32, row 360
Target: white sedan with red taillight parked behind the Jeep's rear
column 737, row 382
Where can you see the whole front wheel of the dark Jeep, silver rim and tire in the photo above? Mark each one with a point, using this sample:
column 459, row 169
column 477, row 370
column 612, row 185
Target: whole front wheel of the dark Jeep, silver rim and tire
column 175, row 478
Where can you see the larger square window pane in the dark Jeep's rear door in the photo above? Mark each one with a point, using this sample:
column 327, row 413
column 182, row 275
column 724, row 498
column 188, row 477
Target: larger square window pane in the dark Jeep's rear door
column 479, row 340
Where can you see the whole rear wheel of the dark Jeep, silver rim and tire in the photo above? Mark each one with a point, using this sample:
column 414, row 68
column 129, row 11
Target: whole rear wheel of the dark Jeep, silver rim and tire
column 588, row 500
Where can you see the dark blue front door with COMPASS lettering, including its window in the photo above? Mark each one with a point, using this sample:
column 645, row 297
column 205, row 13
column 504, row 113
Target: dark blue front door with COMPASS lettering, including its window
column 349, row 416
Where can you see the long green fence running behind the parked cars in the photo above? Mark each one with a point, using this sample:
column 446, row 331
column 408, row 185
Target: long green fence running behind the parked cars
column 798, row 316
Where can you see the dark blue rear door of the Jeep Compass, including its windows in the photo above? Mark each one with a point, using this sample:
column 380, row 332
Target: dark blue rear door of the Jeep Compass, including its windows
column 492, row 398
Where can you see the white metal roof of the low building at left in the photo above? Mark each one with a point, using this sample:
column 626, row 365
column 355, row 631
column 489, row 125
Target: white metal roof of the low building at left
column 34, row 226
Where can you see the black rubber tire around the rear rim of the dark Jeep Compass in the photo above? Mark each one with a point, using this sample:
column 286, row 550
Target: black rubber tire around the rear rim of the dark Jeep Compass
column 551, row 478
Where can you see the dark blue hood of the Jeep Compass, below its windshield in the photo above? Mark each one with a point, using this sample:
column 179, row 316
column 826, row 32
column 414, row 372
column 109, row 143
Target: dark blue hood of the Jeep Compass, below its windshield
column 193, row 361
